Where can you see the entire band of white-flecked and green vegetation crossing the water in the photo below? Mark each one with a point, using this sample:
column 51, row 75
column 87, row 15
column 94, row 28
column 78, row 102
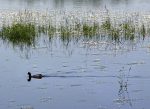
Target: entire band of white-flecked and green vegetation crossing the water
column 23, row 28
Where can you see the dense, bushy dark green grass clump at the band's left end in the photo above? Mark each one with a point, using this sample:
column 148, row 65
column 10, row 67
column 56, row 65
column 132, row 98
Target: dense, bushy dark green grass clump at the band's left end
column 19, row 34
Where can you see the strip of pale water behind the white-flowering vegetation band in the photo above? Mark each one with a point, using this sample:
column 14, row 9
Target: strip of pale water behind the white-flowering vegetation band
column 75, row 4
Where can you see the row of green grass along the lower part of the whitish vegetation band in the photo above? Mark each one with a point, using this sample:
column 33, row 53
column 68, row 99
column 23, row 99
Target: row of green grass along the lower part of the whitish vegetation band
column 26, row 33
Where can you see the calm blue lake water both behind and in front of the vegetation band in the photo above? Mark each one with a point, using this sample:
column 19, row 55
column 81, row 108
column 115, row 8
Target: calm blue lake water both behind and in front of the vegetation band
column 81, row 75
